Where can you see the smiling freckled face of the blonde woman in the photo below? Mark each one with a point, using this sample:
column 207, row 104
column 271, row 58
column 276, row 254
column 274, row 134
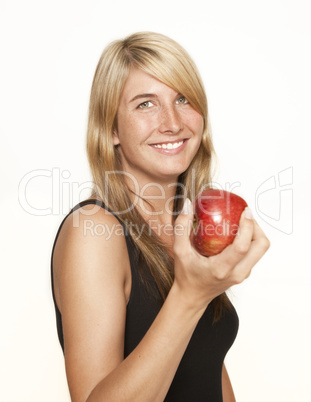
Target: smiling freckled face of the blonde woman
column 158, row 131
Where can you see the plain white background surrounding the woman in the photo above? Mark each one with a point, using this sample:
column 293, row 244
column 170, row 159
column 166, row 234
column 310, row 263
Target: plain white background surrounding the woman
column 254, row 58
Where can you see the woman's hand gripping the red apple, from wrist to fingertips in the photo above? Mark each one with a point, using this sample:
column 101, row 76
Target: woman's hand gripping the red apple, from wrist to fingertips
column 201, row 279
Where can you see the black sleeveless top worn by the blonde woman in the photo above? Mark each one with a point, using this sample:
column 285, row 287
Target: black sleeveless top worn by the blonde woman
column 198, row 377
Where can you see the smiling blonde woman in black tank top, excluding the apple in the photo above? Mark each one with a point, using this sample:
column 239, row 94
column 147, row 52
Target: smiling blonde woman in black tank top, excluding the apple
column 141, row 315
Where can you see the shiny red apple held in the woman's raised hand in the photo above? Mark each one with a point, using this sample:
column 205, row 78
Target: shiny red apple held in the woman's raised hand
column 216, row 220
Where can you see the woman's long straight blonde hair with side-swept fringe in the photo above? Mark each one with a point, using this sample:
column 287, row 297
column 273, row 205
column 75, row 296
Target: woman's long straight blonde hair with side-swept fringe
column 166, row 60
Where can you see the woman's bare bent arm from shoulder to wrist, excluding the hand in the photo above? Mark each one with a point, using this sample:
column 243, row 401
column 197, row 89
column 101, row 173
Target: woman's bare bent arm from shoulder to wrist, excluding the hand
column 90, row 278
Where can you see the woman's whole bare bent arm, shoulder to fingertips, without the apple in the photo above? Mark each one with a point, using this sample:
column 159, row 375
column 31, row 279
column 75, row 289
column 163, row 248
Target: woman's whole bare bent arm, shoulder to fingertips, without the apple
column 91, row 274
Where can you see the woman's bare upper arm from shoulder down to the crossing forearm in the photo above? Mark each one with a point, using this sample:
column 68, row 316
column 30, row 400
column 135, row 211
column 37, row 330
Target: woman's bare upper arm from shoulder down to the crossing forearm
column 92, row 277
